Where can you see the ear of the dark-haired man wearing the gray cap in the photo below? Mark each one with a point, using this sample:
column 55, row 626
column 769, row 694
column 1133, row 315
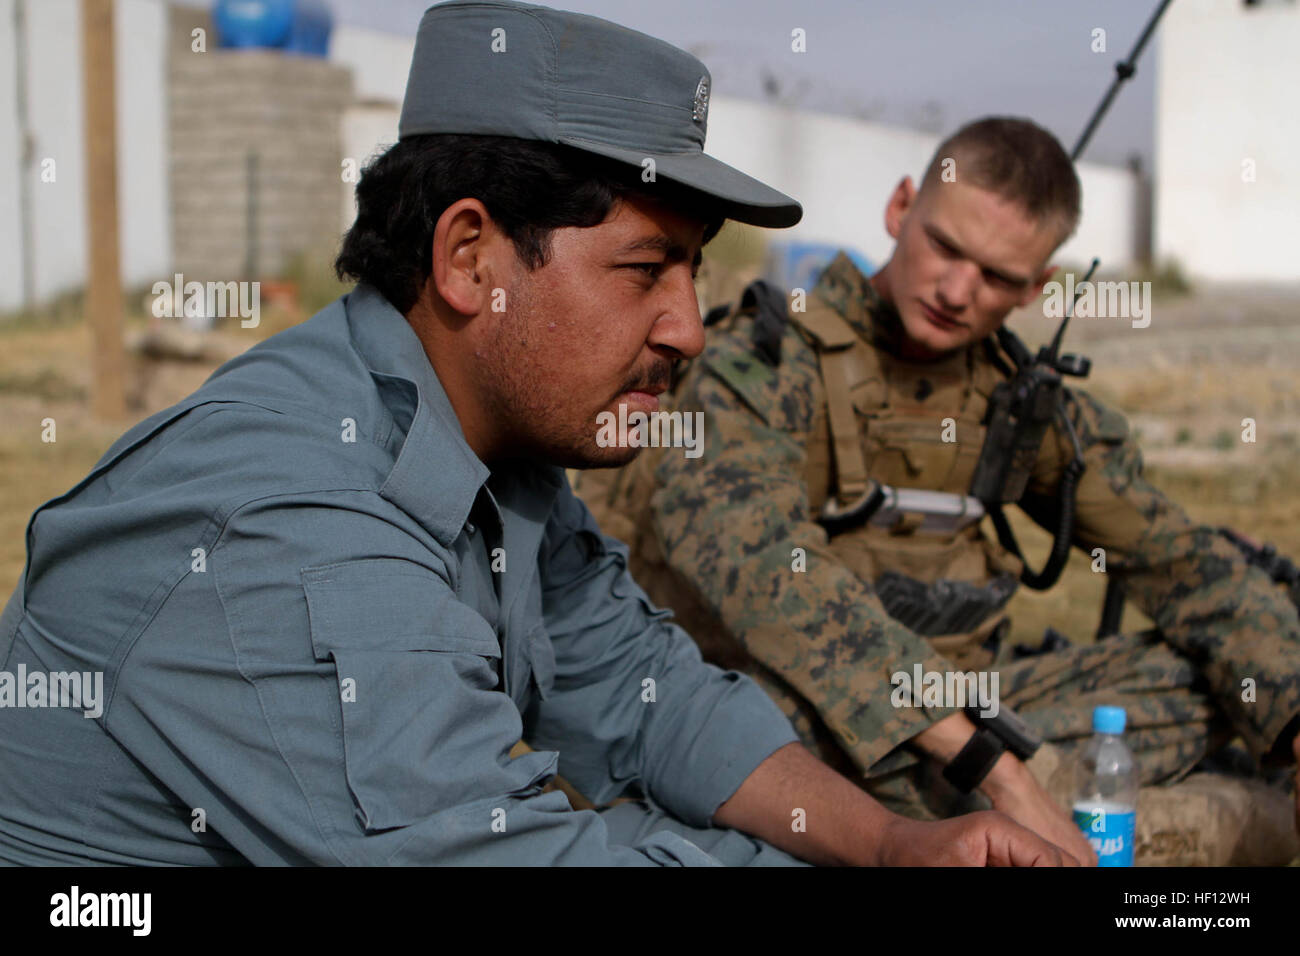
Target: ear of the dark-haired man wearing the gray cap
column 465, row 243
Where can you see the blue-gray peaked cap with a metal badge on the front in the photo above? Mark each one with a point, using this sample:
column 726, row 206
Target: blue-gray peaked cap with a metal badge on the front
column 512, row 70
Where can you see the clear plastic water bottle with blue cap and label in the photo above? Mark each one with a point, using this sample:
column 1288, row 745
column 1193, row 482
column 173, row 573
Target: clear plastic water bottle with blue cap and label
column 1106, row 794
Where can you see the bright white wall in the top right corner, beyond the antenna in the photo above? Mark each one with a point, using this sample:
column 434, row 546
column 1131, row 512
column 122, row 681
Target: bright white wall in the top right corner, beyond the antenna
column 1227, row 93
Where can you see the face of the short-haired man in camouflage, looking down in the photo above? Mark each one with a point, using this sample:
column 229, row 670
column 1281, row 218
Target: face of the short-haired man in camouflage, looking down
column 965, row 258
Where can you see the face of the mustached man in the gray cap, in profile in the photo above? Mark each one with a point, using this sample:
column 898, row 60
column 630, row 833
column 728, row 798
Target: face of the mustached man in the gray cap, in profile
column 597, row 327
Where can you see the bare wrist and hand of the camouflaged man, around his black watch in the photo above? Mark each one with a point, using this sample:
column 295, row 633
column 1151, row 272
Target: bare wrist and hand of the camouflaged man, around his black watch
column 1011, row 788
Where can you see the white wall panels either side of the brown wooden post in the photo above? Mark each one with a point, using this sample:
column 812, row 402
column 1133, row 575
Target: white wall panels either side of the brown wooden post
column 55, row 116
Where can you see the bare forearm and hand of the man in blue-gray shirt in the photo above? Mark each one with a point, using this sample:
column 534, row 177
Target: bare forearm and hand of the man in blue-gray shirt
column 798, row 803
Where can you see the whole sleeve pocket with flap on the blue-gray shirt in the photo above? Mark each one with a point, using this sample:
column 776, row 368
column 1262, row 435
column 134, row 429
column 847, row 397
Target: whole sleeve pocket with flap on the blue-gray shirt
column 411, row 661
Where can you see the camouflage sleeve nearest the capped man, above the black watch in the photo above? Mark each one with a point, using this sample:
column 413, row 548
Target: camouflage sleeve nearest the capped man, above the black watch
column 735, row 522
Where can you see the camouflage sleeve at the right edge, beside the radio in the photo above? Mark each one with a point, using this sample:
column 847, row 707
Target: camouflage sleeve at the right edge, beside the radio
column 1228, row 617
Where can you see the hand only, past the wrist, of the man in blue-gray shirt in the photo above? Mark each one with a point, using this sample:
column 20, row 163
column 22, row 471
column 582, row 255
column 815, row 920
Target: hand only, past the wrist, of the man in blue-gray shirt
column 977, row 840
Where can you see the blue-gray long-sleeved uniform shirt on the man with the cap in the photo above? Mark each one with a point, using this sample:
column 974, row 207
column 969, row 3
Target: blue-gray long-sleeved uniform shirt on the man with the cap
column 320, row 651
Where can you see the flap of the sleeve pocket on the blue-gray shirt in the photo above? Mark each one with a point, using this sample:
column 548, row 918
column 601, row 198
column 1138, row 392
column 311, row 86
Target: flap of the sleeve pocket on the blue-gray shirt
column 387, row 604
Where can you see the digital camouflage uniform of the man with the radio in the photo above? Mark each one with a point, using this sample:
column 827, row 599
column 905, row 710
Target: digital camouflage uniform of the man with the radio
column 716, row 538
